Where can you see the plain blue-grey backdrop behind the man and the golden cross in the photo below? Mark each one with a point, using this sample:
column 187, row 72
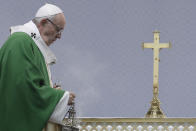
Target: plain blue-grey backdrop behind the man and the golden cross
column 100, row 56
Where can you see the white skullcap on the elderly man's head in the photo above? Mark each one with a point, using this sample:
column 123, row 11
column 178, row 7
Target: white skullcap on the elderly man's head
column 48, row 10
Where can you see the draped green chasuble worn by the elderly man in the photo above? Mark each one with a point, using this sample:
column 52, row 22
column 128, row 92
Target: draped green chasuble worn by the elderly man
column 26, row 97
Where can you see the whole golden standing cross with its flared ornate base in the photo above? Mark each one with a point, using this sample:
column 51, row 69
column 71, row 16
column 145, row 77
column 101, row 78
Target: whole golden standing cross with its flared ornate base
column 155, row 110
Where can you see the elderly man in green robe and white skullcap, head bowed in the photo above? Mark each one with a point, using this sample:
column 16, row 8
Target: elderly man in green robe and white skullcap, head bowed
column 28, row 99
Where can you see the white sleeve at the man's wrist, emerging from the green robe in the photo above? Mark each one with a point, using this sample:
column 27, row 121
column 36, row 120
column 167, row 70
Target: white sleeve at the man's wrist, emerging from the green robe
column 60, row 109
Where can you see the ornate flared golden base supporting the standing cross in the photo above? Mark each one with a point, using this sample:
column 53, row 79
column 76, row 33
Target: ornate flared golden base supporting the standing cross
column 155, row 110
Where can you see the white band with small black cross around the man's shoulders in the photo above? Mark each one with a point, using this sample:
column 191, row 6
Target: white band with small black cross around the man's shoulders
column 31, row 29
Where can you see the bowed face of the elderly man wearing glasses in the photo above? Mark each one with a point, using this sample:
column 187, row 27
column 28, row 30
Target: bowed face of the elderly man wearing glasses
column 51, row 30
